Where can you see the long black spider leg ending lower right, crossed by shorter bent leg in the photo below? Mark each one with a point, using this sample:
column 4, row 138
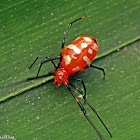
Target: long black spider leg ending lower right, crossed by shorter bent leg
column 91, row 108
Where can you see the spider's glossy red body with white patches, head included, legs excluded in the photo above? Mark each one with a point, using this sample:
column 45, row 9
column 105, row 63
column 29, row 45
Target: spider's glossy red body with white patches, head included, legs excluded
column 75, row 57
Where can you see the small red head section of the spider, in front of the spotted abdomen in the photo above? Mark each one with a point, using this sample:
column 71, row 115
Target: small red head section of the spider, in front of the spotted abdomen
column 61, row 75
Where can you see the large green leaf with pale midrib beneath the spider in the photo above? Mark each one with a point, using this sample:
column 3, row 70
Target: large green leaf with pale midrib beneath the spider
column 36, row 28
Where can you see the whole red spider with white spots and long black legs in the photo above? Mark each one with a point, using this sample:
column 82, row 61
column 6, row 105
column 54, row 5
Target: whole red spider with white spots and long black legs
column 74, row 58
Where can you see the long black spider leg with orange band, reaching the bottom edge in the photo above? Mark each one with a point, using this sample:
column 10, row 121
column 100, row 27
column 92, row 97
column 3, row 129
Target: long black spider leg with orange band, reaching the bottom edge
column 85, row 114
